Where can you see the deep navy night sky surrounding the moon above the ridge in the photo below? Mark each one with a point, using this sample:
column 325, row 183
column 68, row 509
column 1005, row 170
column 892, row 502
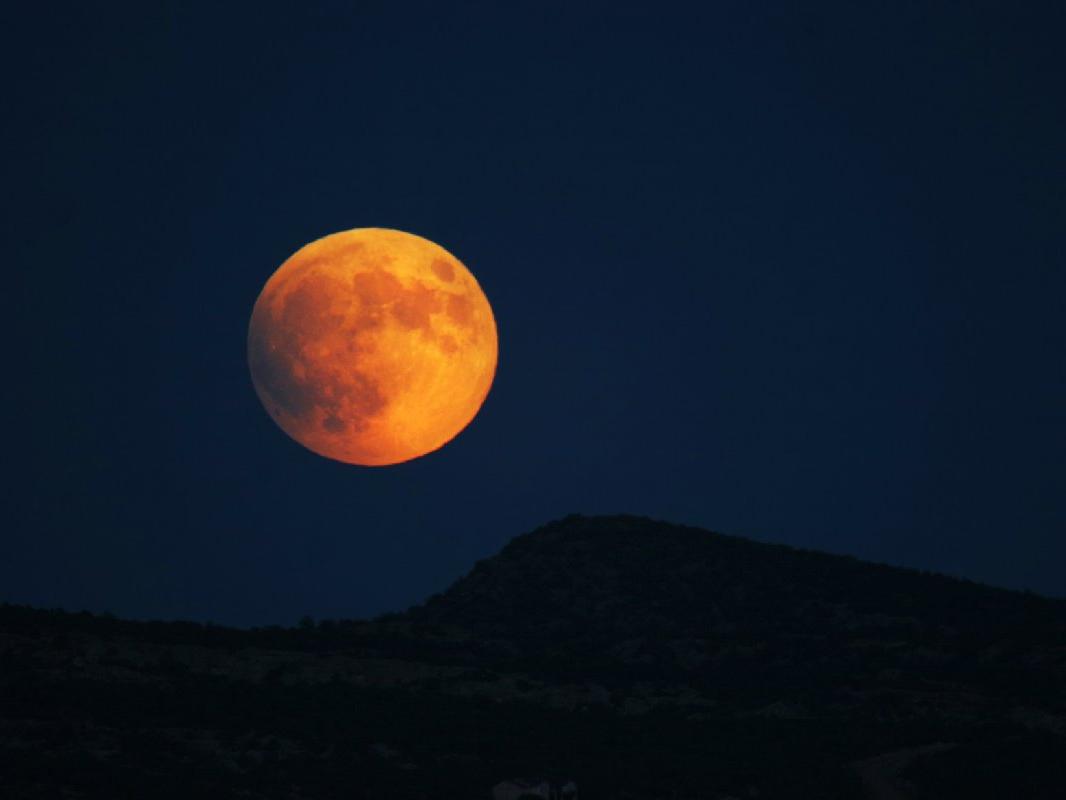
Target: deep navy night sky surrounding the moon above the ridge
column 788, row 271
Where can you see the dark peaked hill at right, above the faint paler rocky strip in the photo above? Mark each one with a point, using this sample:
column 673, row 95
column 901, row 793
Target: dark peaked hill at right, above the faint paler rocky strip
column 629, row 596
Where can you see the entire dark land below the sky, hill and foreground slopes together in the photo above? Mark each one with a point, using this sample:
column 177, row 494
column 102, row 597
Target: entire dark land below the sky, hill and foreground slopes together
column 640, row 660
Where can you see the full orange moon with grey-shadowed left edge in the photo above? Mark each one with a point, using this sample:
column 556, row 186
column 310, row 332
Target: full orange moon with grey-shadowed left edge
column 373, row 347
